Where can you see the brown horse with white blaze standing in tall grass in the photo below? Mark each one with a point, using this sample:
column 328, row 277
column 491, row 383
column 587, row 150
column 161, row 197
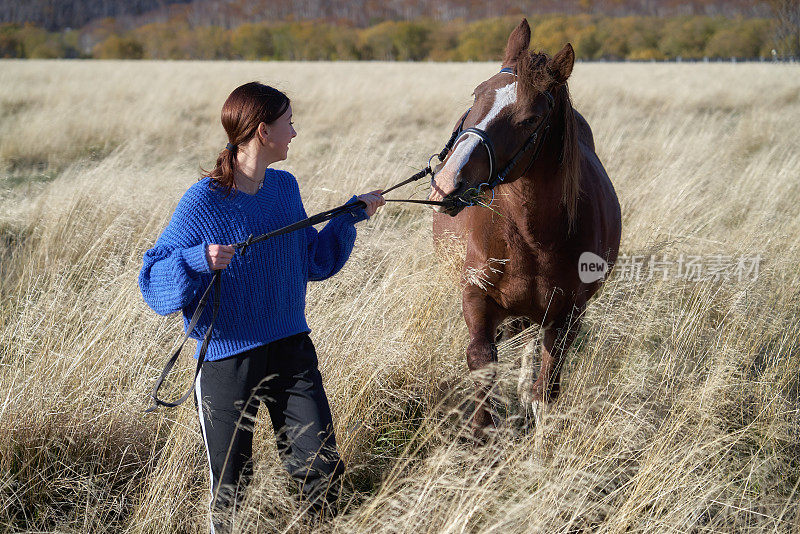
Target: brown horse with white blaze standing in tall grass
column 552, row 206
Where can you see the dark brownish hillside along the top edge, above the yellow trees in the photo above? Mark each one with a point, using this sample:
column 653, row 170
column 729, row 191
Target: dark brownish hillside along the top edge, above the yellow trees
column 60, row 14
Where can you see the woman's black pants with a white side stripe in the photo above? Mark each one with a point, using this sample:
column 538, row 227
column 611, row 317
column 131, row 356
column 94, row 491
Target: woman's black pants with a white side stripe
column 283, row 375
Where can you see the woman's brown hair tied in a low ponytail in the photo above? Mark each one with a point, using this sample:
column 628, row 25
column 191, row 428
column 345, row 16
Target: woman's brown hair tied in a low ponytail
column 247, row 106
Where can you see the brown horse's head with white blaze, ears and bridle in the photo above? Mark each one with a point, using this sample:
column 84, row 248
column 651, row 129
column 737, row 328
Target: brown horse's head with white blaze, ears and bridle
column 501, row 134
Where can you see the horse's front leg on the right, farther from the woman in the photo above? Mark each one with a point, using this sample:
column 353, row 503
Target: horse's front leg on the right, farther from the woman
column 556, row 340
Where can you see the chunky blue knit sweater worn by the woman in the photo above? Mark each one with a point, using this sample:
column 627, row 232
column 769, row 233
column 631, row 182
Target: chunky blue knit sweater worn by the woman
column 264, row 291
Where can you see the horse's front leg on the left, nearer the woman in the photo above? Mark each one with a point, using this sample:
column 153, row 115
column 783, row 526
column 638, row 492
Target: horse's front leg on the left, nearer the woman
column 482, row 316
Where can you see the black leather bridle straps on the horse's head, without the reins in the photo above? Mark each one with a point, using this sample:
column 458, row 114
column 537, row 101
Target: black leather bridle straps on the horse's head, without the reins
column 495, row 179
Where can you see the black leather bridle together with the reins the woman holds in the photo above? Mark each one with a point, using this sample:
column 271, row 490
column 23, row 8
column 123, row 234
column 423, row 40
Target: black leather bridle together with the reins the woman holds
column 241, row 247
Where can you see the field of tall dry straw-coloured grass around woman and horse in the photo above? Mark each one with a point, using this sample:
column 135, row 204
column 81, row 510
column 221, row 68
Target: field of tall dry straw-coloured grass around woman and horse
column 680, row 411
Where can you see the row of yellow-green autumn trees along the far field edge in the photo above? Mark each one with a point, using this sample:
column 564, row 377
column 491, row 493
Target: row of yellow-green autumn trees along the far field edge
column 594, row 38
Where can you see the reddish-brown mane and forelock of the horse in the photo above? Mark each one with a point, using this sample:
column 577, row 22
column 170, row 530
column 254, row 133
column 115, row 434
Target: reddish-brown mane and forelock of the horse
column 533, row 79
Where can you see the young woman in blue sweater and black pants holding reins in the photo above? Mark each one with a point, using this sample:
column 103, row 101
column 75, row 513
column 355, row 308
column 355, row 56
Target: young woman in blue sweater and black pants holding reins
column 260, row 351
